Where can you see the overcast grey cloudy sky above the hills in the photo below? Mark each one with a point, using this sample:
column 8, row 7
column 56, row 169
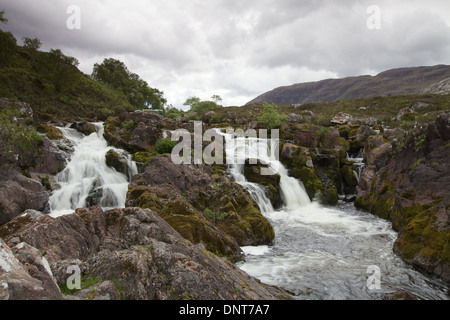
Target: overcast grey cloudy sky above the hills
column 239, row 49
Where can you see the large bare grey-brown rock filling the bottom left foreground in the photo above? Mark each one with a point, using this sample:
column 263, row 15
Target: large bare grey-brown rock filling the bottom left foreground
column 127, row 253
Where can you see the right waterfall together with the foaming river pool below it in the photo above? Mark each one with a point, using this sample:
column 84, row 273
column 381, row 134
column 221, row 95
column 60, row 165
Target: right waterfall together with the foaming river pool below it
column 321, row 252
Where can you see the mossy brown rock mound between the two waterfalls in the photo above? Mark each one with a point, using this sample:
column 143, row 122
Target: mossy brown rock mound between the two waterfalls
column 192, row 197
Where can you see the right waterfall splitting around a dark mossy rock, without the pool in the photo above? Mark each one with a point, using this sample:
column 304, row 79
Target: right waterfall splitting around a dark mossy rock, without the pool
column 239, row 149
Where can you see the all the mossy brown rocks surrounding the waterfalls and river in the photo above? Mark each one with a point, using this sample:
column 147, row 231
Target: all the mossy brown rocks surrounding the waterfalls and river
column 183, row 226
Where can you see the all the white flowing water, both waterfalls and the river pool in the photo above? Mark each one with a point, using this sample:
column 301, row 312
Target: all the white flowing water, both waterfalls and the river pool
column 319, row 252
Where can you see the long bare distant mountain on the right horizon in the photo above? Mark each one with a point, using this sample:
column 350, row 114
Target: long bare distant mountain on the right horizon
column 401, row 81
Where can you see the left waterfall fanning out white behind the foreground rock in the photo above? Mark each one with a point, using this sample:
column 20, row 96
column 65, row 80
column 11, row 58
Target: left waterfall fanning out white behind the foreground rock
column 87, row 179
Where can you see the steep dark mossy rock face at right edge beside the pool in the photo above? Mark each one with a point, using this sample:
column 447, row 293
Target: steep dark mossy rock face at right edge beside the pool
column 409, row 184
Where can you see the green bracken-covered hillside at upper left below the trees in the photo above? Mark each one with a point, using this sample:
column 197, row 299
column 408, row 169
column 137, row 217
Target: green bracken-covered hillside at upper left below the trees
column 52, row 84
